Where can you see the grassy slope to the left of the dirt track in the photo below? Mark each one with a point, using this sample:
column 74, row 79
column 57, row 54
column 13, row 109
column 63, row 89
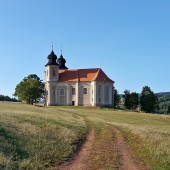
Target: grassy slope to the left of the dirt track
column 37, row 138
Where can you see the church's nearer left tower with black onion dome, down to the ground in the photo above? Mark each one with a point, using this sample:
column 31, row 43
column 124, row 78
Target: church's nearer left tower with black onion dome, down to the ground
column 51, row 77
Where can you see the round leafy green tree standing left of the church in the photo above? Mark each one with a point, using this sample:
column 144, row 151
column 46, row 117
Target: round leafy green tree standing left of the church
column 30, row 90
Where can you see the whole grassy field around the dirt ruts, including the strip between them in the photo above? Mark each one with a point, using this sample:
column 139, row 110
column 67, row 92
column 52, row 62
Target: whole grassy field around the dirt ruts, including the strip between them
column 33, row 137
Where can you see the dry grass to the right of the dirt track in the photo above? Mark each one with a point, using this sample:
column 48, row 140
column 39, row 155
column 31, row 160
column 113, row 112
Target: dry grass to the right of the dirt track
column 147, row 134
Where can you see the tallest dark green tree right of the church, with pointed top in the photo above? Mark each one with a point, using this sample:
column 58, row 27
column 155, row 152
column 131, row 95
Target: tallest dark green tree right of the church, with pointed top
column 148, row 100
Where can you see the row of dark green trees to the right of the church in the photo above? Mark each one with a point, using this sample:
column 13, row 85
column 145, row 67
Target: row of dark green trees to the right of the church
column 147, row 101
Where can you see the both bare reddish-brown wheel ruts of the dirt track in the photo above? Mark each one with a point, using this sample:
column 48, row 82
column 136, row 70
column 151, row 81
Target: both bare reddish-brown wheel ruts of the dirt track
column 125, row 159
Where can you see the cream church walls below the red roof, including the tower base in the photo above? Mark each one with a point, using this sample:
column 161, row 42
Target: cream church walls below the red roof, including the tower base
column 96, row 93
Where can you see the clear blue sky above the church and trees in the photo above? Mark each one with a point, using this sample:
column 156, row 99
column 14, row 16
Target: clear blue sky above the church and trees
column 128, row 39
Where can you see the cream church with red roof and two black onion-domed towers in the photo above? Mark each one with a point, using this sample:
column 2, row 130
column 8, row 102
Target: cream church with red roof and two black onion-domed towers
column 75, row 87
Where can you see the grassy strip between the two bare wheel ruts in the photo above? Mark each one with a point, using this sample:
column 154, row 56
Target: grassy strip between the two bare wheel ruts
column 103, row 155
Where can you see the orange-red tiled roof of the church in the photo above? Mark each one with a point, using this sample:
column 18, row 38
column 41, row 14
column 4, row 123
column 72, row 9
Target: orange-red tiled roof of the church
column 83, row 75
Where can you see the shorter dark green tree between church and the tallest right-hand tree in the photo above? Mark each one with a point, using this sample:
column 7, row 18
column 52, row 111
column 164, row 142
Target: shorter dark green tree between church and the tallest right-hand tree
column 131, row 100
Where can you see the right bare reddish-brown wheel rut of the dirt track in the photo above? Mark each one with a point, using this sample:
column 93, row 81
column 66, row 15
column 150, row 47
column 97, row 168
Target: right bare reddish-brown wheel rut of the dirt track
column 126, row 160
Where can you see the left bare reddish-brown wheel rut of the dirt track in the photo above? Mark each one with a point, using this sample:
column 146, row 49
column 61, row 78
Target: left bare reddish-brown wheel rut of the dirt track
column 80, row 161
